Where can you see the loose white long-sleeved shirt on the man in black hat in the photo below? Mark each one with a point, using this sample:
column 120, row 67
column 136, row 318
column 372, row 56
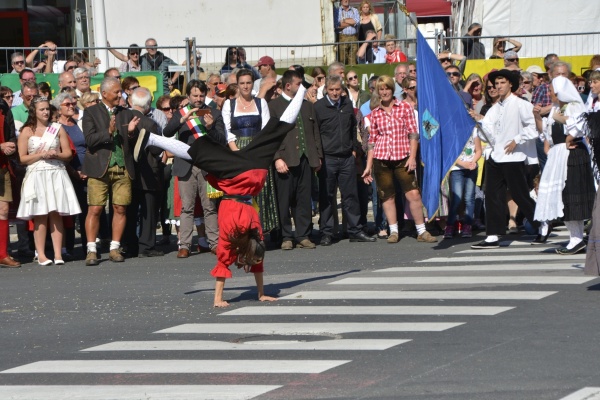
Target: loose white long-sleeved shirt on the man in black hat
column 508, row 120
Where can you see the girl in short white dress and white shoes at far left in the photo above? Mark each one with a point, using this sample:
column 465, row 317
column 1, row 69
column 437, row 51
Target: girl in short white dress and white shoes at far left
column 47, row 192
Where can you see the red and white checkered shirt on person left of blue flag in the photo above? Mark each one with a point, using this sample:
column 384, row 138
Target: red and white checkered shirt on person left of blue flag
column 389, row 132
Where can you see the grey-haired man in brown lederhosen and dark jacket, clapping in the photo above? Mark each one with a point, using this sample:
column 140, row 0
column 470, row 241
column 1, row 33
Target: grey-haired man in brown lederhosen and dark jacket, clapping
column 110, row 133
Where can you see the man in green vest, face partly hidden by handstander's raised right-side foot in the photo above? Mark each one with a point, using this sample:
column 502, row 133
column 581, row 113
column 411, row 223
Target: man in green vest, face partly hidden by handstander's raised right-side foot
column 299, row 155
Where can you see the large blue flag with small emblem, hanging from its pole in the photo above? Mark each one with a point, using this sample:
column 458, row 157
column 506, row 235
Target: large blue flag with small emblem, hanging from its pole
column 444, row 122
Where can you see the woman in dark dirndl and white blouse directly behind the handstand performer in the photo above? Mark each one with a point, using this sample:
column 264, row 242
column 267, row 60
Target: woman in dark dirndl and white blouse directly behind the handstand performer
column 244, row 117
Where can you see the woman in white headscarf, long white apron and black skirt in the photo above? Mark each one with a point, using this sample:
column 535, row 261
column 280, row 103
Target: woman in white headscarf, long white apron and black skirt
column 567, row 184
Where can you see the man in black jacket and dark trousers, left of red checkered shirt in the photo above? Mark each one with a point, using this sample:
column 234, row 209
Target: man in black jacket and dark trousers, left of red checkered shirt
column 337, row 127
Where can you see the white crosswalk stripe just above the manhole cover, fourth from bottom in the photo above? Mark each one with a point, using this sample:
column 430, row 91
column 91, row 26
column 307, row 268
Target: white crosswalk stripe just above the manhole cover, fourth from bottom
column 311, row 328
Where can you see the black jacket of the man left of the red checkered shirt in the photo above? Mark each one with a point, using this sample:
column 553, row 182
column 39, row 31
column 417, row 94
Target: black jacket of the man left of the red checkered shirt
column 337, row 127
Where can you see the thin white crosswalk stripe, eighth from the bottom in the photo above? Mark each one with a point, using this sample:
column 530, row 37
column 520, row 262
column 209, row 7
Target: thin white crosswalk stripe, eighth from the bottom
column 486, row 267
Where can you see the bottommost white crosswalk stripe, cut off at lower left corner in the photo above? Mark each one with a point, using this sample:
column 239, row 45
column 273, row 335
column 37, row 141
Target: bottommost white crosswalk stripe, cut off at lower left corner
column 134, row 392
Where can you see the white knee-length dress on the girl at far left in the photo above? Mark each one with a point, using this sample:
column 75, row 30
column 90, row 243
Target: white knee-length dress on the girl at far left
column 46, row 186
